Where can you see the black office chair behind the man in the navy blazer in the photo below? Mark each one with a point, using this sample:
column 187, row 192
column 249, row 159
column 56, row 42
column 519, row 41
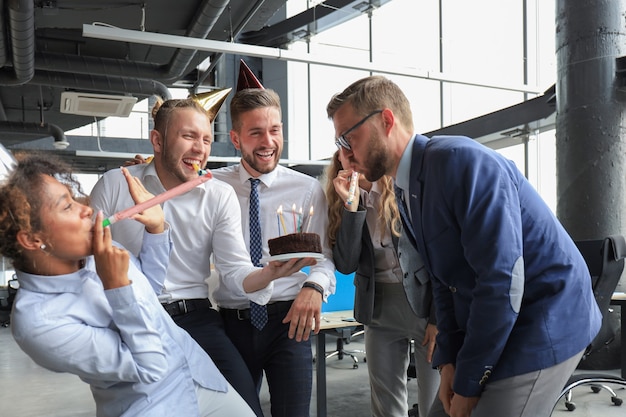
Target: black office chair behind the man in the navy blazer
column 605, row 260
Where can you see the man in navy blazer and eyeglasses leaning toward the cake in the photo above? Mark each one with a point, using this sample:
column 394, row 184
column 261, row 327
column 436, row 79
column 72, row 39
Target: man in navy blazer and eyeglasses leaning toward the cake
column 504, row 270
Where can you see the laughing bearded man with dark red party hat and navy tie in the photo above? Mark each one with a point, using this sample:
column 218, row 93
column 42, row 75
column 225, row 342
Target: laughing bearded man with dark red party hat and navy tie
column 278, row 343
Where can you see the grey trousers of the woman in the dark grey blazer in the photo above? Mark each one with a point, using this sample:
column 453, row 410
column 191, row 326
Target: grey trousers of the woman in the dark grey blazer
column 387, row 343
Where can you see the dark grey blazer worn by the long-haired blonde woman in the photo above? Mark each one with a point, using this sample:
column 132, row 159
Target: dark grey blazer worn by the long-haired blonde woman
column 354, row 251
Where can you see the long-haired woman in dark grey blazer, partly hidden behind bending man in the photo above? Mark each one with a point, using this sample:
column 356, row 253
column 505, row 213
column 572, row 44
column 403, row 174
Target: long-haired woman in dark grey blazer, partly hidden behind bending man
column 393, row 296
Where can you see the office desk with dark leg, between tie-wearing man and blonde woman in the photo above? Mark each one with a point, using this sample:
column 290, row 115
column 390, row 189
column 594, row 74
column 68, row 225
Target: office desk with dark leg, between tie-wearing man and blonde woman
column 330, row 322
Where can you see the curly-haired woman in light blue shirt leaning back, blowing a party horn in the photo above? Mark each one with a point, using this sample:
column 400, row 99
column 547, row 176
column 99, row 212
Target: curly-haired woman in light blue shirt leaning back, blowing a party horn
column 85, row 307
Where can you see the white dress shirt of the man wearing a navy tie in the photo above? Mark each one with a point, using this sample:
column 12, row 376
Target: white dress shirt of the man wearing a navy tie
column 286, row 187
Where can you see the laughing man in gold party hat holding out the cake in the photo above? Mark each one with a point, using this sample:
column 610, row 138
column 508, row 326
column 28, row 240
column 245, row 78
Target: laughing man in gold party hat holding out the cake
column 205, row 221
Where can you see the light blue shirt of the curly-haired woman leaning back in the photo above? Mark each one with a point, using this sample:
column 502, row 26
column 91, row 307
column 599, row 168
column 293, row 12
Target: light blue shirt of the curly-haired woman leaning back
column 121, row 341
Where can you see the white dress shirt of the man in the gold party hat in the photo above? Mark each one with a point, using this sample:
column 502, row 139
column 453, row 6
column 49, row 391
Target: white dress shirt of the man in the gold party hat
column 204, row 221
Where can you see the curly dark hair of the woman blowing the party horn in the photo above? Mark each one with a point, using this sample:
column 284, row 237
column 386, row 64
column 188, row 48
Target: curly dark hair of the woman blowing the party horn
column 21, row 198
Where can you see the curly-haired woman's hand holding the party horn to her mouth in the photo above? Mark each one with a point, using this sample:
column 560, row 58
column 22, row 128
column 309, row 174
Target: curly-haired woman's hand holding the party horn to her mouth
column 111, row 262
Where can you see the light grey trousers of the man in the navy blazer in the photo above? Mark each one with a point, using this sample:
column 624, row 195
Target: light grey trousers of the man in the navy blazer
column 527, row 395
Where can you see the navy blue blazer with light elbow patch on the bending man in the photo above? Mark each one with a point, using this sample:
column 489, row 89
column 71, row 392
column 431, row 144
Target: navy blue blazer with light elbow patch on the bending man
column 512, row 292
